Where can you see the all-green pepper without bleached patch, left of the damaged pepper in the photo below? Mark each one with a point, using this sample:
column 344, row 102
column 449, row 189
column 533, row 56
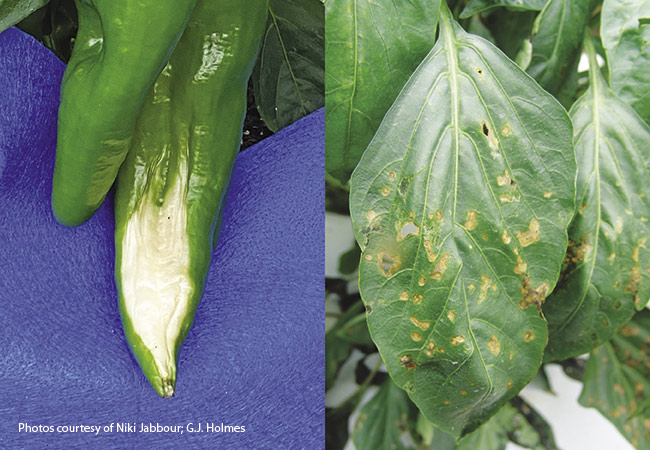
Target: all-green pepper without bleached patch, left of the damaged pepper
column 121, row 47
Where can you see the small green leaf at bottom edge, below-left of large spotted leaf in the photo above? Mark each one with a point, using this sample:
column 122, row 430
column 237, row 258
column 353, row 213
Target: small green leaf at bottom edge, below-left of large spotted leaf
column 384, row 419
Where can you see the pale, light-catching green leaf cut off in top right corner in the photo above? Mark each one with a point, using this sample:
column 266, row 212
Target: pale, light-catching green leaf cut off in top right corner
column 626, row 33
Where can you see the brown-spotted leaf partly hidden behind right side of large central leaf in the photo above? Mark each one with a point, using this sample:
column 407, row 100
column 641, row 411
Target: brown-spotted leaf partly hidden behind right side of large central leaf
column 605, row 269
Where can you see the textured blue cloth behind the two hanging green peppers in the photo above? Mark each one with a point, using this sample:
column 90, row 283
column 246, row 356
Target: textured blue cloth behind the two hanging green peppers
column 255, row 354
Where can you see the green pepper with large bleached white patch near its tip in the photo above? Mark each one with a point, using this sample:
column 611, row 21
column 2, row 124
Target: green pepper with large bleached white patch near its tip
column 172, row 183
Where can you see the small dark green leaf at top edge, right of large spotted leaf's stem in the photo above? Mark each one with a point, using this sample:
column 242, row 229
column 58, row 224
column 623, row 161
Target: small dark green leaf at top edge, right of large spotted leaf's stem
column 557, row 42
